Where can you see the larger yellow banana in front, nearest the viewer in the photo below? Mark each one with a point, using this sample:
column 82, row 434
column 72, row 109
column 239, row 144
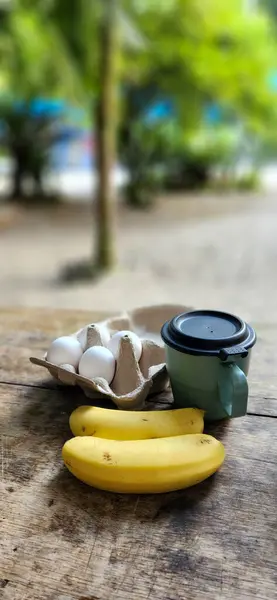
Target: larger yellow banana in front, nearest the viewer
column 143, row 466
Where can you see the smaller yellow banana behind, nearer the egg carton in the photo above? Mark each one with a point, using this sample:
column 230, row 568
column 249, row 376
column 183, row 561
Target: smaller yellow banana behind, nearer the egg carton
column 126, row 425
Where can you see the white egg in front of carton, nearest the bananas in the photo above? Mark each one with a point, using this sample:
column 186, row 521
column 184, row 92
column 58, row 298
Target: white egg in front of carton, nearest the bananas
column 97, row 361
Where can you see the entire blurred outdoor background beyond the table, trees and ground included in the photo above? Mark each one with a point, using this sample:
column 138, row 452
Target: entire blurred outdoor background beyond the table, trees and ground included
column 138, row 154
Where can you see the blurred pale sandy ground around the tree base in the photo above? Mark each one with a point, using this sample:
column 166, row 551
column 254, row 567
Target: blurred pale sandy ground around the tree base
column 203, row 251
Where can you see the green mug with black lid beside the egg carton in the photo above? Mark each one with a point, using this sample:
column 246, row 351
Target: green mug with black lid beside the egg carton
column 208, row 357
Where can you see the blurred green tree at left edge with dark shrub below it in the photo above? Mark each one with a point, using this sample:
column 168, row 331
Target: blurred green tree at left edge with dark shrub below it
column 28, row 71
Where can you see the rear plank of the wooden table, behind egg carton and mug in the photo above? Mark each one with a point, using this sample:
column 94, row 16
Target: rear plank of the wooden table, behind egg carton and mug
column 24, row 332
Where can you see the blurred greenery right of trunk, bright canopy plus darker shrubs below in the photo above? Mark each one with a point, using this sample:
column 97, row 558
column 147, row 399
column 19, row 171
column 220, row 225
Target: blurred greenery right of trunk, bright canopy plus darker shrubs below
column 196, row 54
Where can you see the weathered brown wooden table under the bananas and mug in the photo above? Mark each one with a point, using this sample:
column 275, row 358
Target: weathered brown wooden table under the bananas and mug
column 61, row 540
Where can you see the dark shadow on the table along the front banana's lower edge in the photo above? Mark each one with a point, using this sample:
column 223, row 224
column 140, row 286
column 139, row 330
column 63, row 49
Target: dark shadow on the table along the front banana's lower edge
column 76, row 498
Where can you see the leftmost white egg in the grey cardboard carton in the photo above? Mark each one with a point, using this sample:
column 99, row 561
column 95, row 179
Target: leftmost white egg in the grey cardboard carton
column 65, row 350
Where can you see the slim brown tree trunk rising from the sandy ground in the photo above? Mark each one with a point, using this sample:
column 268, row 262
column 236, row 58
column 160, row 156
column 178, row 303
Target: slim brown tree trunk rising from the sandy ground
column 106, row 136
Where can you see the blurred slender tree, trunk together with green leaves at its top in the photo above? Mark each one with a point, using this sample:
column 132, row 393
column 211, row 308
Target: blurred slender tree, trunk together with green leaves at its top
column 93, row 34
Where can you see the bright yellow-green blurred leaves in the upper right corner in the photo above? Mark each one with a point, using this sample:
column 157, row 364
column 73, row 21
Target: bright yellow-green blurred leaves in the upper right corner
column 207, row 50
